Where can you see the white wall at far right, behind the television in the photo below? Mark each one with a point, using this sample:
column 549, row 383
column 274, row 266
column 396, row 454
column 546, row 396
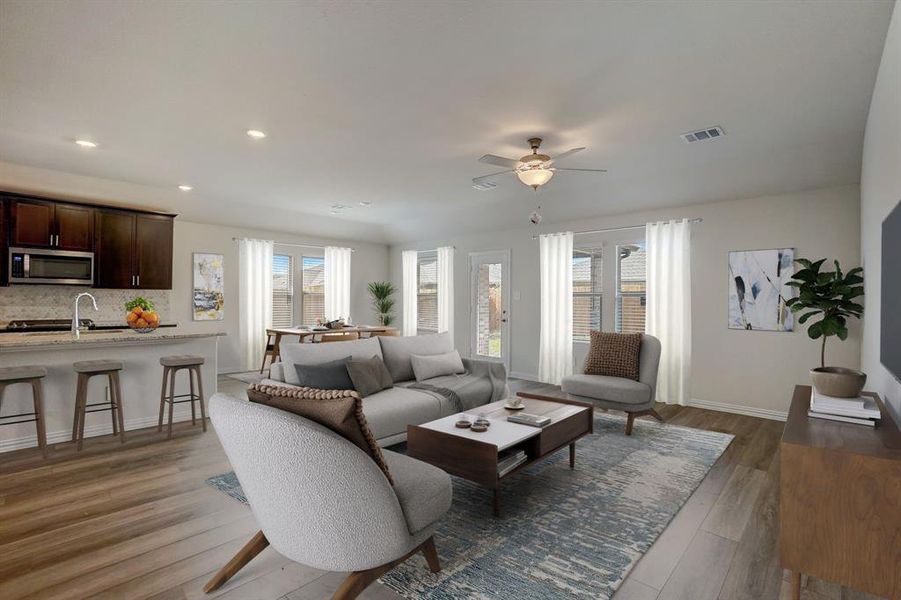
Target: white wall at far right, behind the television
column 880, row 191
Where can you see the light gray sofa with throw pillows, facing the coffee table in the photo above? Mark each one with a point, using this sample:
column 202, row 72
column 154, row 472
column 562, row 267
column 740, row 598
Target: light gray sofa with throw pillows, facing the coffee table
column 409, row 402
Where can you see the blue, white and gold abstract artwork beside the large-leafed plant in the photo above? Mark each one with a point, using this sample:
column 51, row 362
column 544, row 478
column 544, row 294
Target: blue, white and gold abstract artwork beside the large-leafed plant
column 758, row 290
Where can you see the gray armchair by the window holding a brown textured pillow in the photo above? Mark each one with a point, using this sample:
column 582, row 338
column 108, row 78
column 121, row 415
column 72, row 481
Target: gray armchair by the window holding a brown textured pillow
column 636, row 398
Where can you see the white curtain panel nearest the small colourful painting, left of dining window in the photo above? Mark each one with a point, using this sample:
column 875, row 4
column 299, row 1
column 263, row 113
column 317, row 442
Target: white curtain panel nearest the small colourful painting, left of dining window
column 255, row 284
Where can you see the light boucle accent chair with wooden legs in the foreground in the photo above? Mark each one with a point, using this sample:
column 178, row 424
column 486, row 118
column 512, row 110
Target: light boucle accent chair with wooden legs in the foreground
column 321, row 501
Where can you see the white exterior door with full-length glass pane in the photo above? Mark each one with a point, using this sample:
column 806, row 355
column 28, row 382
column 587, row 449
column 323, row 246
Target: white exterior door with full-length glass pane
column 490, row 306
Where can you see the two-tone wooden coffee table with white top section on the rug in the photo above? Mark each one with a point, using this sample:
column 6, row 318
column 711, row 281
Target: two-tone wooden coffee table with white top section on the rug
column 474, row 456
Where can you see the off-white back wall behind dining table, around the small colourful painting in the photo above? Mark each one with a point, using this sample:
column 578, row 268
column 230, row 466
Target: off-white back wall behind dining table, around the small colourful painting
column 369, row 263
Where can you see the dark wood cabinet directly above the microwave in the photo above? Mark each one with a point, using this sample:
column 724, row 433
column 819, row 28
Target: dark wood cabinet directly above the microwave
column 46, row 224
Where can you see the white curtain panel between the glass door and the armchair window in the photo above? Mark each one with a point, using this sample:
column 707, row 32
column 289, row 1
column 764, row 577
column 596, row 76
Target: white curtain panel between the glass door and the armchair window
column 555, row 355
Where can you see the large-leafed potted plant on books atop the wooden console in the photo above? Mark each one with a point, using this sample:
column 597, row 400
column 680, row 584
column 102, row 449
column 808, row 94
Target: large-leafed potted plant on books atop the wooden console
column 828, row 298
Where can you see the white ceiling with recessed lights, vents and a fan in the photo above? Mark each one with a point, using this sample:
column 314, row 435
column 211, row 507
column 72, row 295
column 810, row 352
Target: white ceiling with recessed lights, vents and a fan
column 393, row 102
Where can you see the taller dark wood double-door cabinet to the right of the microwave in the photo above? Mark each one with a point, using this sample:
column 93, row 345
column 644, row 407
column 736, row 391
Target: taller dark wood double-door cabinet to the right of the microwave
column 132, row 250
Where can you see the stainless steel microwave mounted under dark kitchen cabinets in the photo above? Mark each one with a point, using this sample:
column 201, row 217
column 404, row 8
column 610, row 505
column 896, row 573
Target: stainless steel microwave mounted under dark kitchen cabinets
column 62, row 267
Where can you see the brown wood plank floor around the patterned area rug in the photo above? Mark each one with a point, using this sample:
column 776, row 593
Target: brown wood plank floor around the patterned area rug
column 138, row 521
